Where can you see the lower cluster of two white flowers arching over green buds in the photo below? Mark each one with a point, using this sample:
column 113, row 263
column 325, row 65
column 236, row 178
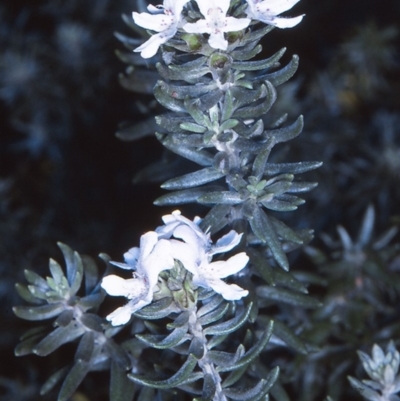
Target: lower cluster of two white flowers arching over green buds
column 179, row 239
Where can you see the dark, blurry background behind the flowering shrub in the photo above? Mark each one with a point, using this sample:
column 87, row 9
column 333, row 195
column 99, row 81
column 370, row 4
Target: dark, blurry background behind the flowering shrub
column 65, row 177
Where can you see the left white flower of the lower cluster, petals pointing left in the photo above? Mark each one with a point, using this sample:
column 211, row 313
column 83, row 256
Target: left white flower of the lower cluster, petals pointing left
column 153, row 257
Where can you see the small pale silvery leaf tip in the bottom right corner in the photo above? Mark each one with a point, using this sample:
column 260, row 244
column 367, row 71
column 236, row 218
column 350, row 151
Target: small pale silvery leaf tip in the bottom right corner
column 384, row 383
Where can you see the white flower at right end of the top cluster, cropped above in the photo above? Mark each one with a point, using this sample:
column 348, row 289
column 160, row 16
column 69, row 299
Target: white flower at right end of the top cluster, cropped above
column 267, row 11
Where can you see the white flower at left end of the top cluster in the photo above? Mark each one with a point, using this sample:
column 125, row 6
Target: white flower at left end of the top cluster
column 164, row 19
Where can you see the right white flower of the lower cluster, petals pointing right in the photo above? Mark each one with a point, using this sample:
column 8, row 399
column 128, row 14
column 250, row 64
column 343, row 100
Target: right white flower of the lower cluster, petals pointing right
column 196, row 252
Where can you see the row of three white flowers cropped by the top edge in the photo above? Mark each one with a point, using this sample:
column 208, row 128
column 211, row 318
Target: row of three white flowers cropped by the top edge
column 166, row 19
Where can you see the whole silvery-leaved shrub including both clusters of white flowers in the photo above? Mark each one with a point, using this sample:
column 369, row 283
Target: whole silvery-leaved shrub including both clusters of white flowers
column 213, row 310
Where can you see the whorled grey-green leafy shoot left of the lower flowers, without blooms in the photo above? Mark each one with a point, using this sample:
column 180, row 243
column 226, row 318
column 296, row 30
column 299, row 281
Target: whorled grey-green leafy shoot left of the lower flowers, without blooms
column 72, row 300
